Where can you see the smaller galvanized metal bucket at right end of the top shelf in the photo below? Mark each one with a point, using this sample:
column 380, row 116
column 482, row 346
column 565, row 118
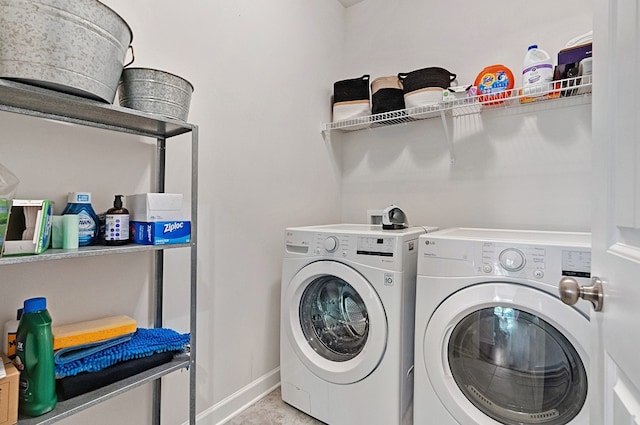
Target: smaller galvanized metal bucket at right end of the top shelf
column 155, row 91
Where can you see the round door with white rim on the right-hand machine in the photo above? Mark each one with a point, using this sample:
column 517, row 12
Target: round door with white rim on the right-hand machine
column 499, row 353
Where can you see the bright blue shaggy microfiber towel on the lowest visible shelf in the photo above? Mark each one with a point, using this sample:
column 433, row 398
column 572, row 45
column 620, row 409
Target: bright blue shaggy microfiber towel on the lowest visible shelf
column 143, row 343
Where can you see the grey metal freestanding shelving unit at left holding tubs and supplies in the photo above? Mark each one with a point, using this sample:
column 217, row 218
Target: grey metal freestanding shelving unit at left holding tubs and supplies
column 43, row 103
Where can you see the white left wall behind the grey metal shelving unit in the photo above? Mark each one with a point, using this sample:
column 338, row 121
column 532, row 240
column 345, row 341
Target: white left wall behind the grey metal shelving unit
column 262, row 73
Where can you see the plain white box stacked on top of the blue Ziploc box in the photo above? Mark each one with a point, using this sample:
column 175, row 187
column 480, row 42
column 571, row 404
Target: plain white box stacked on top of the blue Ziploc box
column 155, row 207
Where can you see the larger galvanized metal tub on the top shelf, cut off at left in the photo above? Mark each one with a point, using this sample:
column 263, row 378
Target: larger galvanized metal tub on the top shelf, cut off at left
column 73, row 46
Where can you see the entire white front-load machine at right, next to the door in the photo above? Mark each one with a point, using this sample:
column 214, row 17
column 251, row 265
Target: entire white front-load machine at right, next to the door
column 494, row 342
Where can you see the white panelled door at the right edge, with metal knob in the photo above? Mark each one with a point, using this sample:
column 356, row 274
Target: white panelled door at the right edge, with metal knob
column 616, row 226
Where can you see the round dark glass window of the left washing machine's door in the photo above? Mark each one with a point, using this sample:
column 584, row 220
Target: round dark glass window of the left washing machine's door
column 334, row 319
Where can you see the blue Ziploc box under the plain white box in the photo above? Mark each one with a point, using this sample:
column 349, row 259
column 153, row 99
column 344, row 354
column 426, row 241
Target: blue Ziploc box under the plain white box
column 160, row 233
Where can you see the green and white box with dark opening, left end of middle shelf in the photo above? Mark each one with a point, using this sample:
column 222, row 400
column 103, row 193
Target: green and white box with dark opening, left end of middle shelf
column 28, row 228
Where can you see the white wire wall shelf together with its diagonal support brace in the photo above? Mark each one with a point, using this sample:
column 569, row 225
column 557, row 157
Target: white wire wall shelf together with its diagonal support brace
column 557, row 94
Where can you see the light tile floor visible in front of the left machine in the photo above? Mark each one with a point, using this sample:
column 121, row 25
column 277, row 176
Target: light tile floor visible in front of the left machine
column 271, row 410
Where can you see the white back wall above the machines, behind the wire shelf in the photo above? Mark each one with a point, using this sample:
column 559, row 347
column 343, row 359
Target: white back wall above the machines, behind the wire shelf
column 513, row 169
